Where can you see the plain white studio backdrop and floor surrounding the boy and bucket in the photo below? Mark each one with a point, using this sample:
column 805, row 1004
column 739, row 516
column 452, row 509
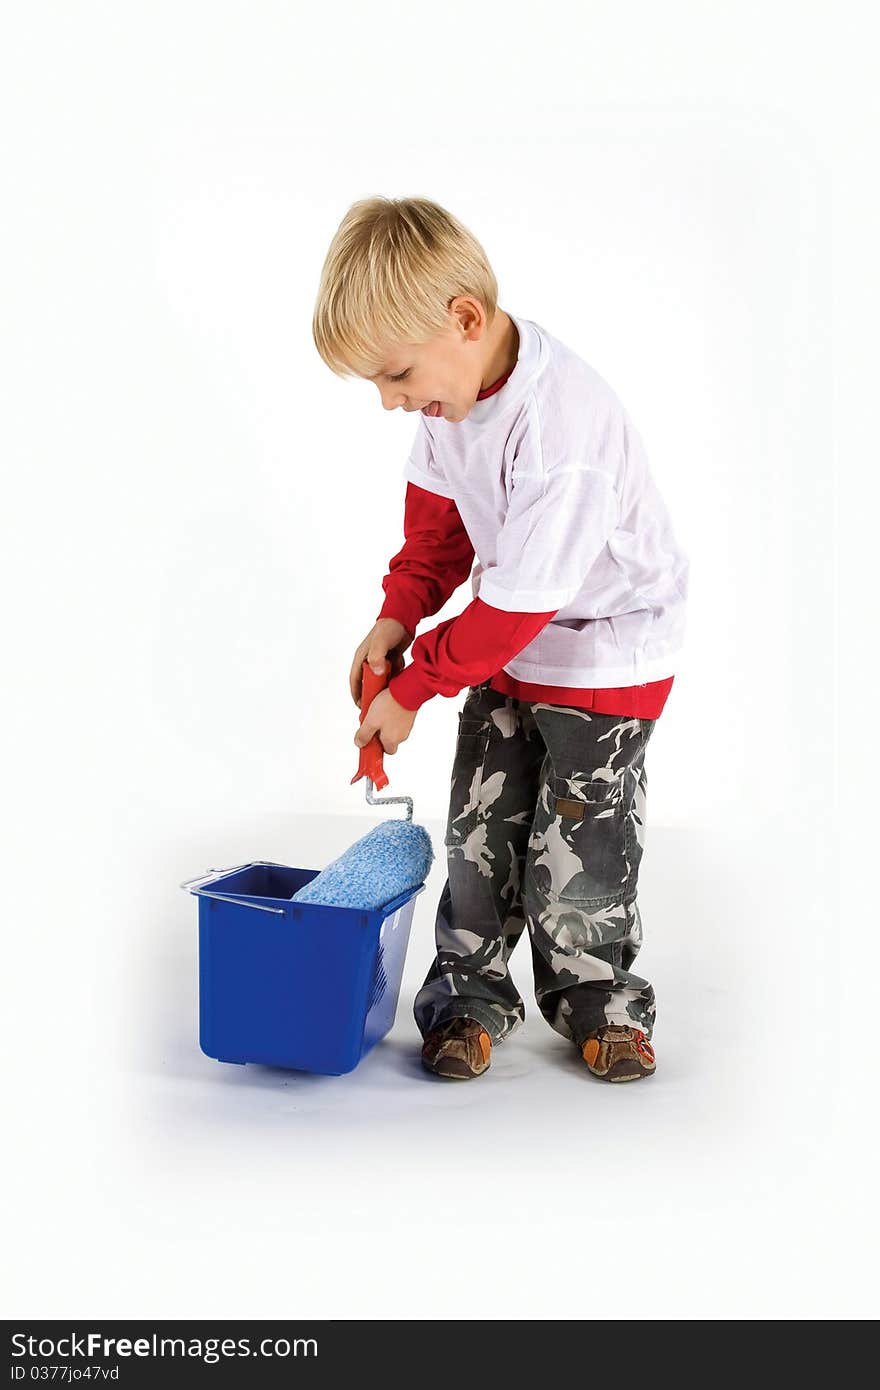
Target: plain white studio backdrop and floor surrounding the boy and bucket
column 197, row 519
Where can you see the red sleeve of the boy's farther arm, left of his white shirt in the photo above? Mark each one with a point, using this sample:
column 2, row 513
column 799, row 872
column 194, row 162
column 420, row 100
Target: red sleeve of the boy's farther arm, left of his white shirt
column 436, row 559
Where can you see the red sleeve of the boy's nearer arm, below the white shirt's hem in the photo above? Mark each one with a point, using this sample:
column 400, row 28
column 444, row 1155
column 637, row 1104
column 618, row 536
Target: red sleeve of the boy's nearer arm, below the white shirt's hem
column 465, row 651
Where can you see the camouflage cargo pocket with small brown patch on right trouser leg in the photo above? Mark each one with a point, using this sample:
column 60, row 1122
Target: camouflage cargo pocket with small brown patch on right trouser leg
column 585, row 851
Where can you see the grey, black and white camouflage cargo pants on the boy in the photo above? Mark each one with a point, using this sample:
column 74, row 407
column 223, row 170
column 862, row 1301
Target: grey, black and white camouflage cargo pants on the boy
column 546, row 829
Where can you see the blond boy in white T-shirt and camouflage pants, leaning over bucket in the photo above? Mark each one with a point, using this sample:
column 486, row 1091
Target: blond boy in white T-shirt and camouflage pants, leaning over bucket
column 526, row 461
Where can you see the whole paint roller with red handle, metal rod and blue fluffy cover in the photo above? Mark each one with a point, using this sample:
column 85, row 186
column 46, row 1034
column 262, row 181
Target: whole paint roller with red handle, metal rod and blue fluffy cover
column 394, row 857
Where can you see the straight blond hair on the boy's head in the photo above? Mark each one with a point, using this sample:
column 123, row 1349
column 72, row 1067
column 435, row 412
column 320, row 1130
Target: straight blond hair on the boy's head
column 393, row 269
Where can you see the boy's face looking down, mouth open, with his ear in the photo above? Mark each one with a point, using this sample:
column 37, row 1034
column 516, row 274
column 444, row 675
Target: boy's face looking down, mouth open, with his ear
column 443, row 377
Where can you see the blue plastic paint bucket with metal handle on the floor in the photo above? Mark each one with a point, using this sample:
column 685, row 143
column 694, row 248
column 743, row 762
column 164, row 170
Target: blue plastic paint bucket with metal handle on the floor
column 294, row 985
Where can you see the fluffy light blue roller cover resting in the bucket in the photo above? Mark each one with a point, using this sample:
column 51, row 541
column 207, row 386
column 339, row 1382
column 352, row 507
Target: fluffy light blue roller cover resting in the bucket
column 391, row 860
